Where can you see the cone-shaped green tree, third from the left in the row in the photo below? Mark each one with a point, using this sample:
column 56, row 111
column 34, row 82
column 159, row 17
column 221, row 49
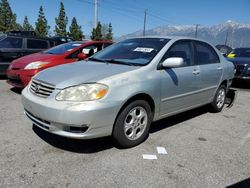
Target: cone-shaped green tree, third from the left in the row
column 42, row 27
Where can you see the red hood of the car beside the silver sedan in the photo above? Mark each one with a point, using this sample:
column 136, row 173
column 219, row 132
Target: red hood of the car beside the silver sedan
column 23, row 61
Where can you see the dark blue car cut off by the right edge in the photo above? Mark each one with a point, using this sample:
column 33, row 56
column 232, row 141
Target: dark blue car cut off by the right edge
column 241, row 59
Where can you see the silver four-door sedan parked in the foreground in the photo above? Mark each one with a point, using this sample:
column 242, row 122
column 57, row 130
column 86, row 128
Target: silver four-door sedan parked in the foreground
column 119, row 91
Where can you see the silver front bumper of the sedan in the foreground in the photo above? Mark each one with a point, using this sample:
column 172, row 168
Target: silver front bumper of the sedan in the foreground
column 79, row 120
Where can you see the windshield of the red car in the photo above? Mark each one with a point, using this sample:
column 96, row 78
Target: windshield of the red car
column 63, row 48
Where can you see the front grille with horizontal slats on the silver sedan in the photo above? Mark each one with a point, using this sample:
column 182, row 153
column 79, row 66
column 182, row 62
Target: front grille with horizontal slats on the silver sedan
column 41, row 89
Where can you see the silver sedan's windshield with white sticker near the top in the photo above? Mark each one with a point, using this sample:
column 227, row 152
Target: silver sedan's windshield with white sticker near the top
column 136, row 52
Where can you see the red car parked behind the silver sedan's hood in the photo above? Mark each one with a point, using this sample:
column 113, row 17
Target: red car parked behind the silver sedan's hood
column 23, row 69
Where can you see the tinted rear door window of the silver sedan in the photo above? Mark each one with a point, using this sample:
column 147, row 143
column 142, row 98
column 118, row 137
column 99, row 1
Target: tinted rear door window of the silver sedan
column 206, row 54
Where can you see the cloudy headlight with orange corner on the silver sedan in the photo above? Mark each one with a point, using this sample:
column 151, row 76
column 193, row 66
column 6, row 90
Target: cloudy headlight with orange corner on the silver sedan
column 84, row 92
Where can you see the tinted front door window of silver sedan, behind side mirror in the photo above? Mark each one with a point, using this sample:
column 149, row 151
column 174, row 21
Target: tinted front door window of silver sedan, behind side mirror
column 181, row 49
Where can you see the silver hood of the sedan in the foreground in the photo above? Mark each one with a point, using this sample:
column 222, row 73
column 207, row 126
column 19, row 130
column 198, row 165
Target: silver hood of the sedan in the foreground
column 67, row 75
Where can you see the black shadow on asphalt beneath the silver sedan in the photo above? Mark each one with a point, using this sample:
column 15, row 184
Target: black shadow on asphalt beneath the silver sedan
column 100, row 144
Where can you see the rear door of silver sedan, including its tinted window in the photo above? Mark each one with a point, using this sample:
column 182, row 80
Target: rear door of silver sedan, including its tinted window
column 210, row 70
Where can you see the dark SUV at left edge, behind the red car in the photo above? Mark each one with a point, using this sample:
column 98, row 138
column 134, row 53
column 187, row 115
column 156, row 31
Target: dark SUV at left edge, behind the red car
column 15, row 45
